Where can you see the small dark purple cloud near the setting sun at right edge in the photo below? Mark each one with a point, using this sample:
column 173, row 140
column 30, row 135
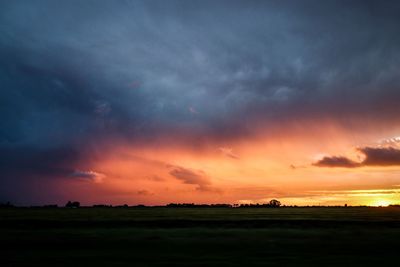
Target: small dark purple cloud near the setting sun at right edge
column 374, row 156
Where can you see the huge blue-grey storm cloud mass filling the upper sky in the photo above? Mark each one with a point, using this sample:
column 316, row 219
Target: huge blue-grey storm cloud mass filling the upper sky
column 73, row 73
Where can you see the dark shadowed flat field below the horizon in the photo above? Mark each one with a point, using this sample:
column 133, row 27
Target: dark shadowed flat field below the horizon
column 200, row 237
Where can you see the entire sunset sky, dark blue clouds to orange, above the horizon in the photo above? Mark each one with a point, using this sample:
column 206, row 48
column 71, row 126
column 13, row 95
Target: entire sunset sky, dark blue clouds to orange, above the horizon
column 152, row 102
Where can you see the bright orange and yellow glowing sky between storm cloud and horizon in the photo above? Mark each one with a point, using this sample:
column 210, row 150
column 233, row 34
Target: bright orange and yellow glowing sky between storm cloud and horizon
column 246, row 171
